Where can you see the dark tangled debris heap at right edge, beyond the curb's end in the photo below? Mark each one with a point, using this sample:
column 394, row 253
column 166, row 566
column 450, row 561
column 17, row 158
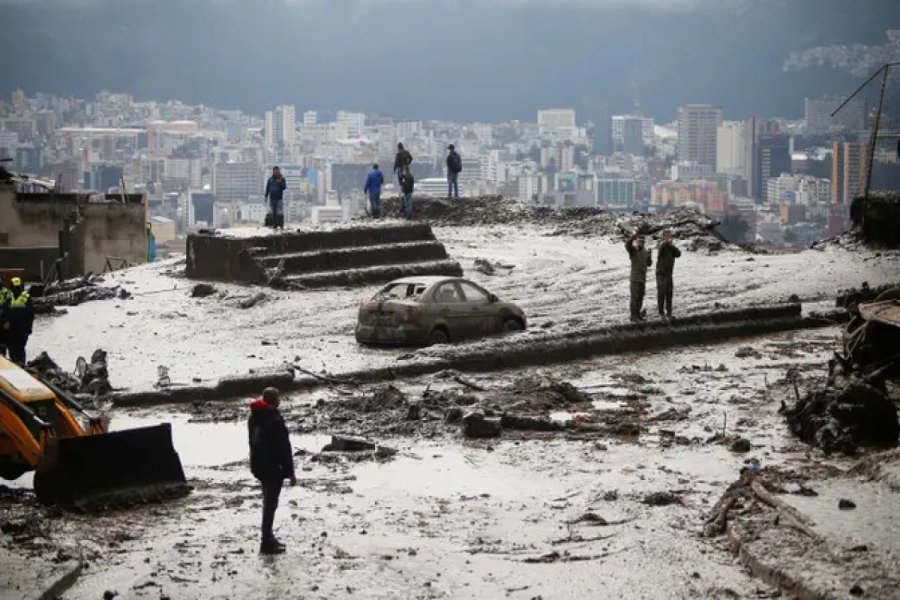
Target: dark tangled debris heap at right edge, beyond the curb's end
column 858, row 405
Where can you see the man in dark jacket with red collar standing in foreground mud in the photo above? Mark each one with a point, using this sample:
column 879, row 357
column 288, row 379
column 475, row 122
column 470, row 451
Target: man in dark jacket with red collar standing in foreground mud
column 271, row 461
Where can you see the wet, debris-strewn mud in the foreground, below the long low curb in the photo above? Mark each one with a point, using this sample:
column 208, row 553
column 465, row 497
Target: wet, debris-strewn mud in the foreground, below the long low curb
column 529, row 515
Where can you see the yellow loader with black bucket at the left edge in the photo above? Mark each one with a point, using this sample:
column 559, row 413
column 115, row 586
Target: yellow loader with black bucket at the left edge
column 80, row 465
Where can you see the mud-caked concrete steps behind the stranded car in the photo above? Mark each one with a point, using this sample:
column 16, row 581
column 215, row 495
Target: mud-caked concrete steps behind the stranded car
column 348, row 255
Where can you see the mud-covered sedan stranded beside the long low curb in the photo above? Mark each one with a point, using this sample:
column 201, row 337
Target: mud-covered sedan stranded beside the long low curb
column 434, row 310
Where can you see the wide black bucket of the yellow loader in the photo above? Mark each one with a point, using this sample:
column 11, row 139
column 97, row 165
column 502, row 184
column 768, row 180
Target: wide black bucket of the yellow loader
column 116, row 469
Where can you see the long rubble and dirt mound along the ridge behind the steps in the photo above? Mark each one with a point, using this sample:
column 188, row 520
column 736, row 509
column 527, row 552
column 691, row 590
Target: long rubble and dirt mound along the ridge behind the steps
column 686, row 224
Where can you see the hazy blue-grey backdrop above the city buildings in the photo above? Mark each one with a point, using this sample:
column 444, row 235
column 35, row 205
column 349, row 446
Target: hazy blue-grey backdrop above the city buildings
column 455, row 59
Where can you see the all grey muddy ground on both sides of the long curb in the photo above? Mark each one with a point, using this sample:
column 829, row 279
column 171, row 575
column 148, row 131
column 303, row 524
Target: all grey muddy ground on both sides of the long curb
column 609, row 500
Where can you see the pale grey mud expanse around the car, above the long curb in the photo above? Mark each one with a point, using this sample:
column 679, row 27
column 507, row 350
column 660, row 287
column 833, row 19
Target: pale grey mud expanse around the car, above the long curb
column 564, row 283
